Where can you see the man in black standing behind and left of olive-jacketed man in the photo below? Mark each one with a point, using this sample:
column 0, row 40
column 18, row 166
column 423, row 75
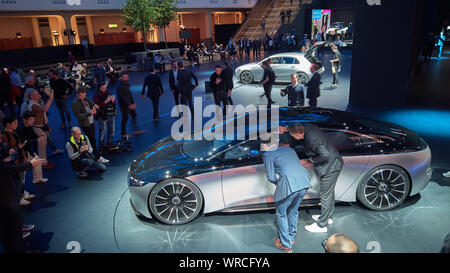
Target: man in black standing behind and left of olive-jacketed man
column 62, row 90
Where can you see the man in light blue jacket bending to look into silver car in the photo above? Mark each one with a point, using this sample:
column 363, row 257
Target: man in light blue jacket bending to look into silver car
column 291, row 186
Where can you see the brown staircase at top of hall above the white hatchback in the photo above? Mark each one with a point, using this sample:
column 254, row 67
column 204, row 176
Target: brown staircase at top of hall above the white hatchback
column 252, row 29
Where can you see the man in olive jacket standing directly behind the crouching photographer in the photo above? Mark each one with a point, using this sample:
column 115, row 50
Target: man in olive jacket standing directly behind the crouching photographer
column 84, row 109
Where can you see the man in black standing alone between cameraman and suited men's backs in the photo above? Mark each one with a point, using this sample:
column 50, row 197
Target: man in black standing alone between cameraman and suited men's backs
column 127, row 105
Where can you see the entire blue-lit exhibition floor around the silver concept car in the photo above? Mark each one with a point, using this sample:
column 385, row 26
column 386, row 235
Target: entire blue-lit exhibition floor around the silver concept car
column 96, row 213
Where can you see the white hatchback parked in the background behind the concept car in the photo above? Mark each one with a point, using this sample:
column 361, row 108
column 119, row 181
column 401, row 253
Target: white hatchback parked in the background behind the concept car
column 283, row 64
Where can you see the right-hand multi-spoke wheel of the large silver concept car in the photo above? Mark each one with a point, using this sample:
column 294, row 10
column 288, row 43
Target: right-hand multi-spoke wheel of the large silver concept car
column 384, row 188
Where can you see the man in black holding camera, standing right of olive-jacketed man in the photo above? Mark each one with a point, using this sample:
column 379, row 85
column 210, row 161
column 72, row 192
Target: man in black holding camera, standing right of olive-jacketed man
column 106, row 113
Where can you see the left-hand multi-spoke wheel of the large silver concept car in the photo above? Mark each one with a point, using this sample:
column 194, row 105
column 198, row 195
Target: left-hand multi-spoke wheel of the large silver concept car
column 175, row 201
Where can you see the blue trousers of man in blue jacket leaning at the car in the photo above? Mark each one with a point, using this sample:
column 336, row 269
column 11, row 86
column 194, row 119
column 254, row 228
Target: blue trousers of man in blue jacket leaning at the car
column 287, row 217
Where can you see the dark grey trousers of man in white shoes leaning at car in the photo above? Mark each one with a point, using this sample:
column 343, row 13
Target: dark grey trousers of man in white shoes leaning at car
column 327, row 198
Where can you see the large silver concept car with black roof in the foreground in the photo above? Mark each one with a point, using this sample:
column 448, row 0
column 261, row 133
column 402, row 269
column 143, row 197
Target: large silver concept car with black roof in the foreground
column 175, row 181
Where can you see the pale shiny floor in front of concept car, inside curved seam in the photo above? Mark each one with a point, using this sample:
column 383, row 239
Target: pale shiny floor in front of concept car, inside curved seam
column 418, row 226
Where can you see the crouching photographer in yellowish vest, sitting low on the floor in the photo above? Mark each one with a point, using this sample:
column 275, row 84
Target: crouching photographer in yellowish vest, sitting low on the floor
column 79, row 149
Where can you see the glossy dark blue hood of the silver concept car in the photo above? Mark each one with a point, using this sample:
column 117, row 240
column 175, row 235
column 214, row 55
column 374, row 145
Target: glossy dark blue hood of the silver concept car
column 165, row 159
